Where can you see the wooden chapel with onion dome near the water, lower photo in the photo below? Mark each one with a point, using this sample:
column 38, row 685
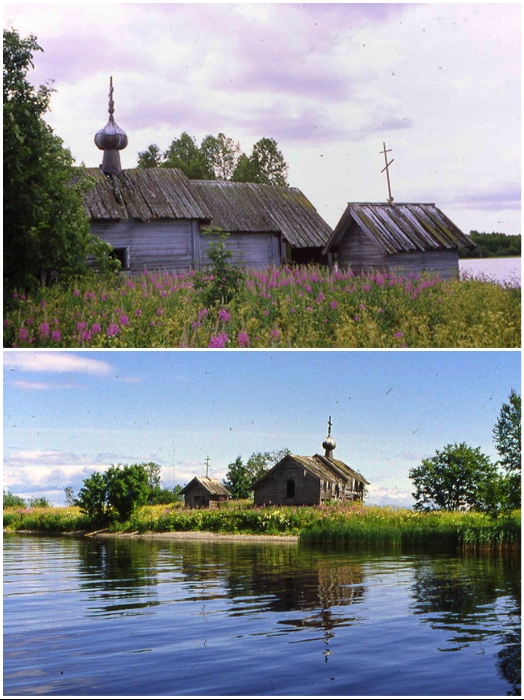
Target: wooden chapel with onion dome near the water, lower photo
column 308, row 481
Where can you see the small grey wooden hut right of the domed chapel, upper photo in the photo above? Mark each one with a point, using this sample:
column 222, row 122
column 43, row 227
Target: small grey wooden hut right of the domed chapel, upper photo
column 396, row 237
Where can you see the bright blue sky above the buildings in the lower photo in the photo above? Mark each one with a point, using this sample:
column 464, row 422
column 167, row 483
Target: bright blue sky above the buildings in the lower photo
column 67, row 414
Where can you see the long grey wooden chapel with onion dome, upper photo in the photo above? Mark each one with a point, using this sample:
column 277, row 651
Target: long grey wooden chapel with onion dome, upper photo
column 154, row 218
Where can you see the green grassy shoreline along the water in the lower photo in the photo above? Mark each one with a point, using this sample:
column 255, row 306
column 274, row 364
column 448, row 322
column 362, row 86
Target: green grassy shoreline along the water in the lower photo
column 350, row 526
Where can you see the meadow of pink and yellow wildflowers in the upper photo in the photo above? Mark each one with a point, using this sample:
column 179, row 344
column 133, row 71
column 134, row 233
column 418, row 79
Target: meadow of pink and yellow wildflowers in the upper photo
column 288, row 307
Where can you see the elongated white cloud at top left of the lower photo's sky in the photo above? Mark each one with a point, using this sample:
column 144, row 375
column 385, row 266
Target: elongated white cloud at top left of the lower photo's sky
column 54, row 362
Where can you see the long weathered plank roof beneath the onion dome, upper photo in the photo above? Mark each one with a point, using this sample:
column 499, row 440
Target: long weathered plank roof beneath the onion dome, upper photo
column 166, row 193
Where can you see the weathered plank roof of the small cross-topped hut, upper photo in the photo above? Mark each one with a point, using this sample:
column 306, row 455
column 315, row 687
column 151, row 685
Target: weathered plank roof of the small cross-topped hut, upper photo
column 399, row 228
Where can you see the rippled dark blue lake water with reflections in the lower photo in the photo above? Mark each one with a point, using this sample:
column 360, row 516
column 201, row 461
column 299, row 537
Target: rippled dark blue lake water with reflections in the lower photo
column 161, row 618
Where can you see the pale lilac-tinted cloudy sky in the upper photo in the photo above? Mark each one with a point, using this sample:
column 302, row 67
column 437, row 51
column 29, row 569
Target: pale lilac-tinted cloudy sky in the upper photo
column 438, row 82
